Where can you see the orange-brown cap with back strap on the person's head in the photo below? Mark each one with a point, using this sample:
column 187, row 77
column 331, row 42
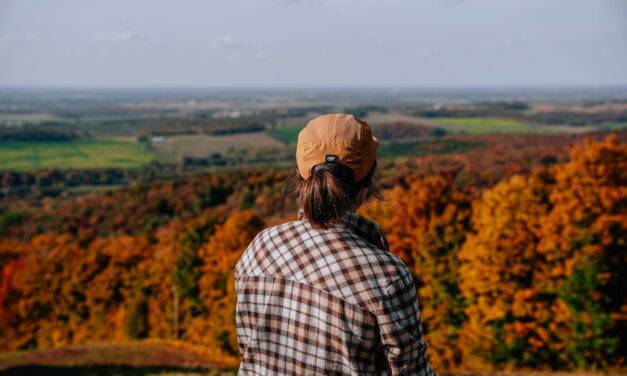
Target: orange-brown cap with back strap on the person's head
column 339, row 138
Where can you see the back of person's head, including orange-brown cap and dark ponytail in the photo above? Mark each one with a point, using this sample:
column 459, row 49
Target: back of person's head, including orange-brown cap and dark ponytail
column 336, row 157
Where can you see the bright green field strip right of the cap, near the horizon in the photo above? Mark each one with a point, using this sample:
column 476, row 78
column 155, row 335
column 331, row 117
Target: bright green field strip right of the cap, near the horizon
column 486, row 125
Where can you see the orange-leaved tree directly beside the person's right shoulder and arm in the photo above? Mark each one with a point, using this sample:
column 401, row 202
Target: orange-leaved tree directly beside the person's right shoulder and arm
column 425, row 223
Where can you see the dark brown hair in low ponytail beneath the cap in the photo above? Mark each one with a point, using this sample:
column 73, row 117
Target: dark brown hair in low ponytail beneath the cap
column 331, row 192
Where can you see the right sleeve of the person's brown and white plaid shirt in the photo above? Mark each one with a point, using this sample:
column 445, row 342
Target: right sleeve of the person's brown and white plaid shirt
column 401, row 333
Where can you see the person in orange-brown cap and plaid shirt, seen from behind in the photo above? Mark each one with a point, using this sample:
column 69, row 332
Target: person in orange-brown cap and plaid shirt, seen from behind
column 323, row 295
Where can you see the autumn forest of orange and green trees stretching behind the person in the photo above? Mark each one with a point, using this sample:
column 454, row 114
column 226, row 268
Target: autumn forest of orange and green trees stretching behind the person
column 517, row 250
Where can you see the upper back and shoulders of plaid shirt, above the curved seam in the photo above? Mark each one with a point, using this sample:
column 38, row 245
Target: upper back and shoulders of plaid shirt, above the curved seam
column 350, row 261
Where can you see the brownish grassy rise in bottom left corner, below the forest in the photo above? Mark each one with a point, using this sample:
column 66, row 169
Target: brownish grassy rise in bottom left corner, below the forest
column 109, row 359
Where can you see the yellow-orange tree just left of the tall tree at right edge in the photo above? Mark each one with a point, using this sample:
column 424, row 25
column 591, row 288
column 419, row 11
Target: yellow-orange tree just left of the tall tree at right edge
column 496, row 274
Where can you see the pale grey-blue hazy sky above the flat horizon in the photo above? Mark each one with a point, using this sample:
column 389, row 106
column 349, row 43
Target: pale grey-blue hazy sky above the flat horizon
column 312, row 43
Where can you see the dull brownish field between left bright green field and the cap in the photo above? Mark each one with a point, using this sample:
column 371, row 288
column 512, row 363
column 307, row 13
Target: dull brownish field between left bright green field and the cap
column 174, row 148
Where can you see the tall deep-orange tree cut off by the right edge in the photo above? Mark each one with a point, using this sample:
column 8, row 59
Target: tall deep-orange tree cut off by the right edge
column 584, row 245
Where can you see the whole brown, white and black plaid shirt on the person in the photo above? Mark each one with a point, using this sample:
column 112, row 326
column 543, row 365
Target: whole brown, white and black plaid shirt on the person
column 327, row 302
